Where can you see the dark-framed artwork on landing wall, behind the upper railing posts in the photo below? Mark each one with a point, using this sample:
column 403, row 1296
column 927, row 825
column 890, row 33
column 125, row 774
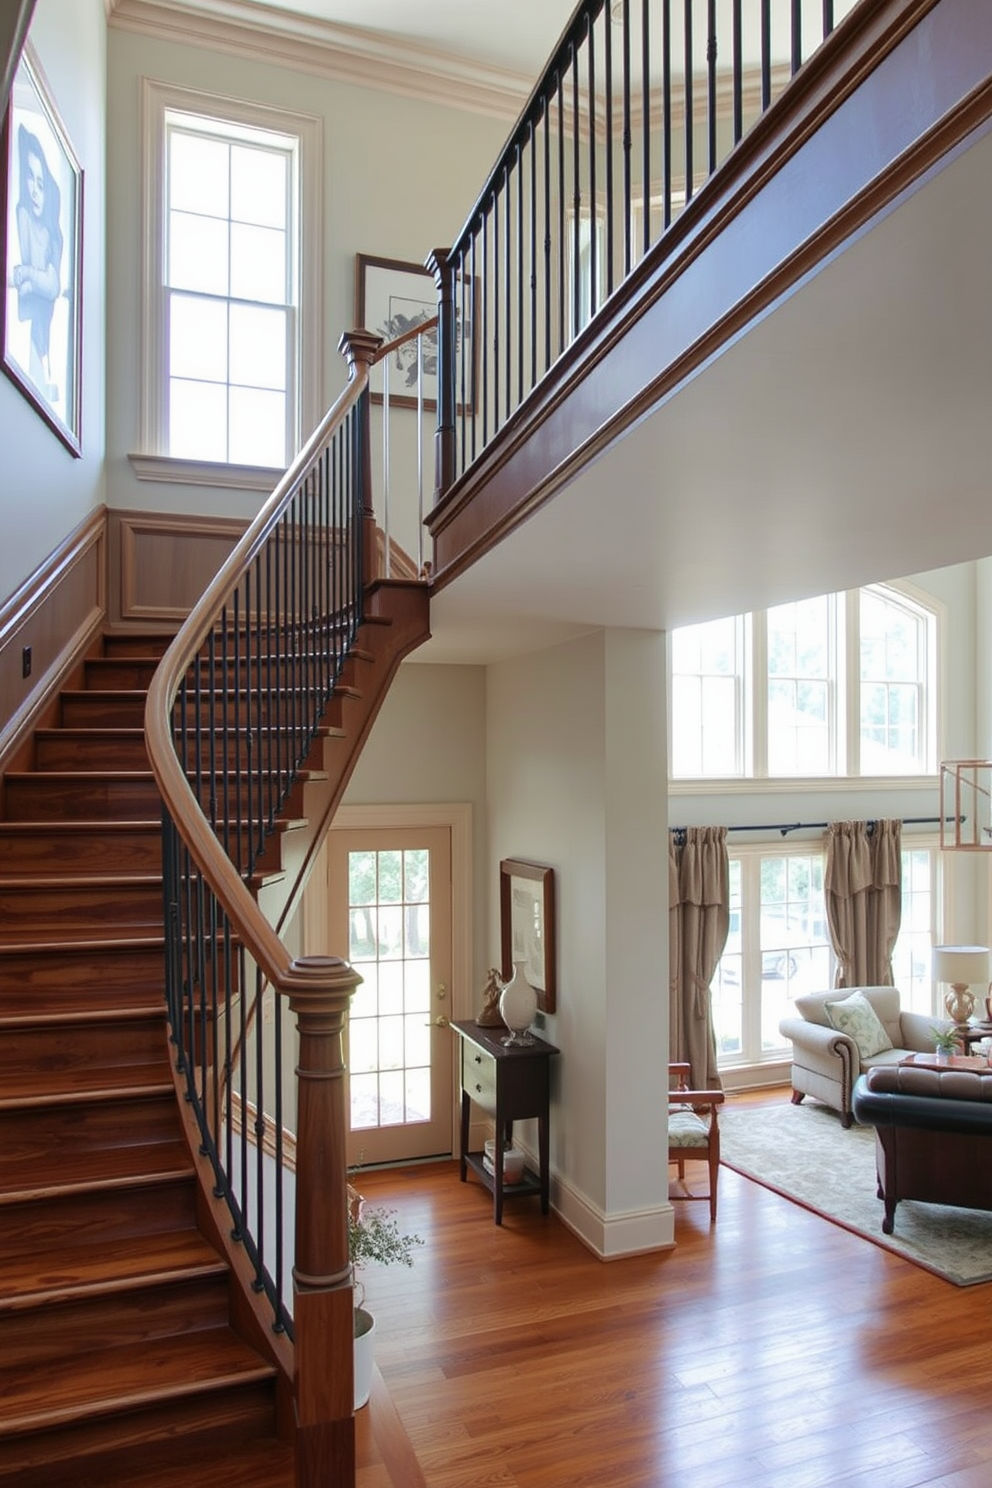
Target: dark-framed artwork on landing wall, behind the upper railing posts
column 393, row 297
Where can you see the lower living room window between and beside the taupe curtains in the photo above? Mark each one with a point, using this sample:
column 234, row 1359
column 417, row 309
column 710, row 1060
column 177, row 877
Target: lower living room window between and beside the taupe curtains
column 780, row 946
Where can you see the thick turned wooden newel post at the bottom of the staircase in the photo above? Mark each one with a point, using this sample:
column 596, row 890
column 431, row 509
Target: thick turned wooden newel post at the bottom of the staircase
column 323, row 1306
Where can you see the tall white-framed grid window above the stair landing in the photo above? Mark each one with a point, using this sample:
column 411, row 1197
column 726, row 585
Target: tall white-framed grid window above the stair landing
column 231, row 373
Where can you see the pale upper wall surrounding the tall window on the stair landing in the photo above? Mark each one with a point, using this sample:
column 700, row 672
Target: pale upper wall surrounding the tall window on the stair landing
column 399, row 178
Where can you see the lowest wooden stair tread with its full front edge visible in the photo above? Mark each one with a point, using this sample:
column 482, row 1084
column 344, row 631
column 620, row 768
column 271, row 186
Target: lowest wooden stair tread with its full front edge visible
column 60, row 1392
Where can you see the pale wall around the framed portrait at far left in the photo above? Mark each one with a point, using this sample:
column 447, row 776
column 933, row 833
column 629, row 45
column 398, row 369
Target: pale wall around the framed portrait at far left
column 44, row 492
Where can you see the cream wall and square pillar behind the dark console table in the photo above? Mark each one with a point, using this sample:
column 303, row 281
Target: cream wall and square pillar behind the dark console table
column 576, row 780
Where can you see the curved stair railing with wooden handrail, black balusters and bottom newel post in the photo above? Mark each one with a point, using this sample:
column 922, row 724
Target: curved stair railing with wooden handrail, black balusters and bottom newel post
column 236, row 721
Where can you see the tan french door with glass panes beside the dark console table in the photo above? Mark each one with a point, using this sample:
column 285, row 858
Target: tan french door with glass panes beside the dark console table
column 390, row 913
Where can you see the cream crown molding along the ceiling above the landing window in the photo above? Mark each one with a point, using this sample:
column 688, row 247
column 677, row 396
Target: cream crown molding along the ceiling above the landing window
column 344, row 54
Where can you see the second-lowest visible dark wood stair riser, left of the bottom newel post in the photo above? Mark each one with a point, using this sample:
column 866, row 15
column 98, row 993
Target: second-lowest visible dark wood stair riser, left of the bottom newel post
column 71, row 1330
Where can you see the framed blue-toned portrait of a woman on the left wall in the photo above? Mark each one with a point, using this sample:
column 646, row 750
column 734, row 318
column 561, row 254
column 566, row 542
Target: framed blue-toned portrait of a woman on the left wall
column 41, row 243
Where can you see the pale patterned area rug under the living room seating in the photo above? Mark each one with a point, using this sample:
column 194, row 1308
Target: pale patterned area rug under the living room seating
column 804, row 1154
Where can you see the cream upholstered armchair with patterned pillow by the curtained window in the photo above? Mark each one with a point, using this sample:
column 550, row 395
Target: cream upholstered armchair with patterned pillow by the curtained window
column 828, row 1060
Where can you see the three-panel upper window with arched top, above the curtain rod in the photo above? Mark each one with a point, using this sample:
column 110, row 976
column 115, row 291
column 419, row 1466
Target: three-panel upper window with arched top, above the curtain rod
column 841, row 685
